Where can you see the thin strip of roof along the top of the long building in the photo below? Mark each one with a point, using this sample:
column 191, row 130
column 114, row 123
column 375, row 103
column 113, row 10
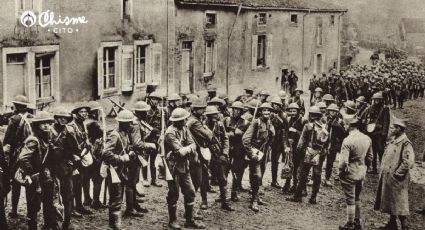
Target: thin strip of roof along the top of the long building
column 297, row 5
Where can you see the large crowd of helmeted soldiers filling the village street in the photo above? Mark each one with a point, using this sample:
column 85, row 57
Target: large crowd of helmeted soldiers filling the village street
column 56, row 154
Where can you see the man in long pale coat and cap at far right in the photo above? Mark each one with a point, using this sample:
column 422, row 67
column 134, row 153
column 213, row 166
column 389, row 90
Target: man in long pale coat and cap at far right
column 393, row 188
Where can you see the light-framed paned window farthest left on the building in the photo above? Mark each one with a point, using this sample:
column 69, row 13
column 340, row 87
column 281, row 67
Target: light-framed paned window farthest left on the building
column 43, row 77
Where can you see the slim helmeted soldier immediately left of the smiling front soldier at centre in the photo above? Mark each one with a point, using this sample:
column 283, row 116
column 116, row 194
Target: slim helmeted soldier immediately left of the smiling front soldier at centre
column 235, row 127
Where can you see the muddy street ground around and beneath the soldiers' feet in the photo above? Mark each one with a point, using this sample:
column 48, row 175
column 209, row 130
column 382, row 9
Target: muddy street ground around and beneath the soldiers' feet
column 329, row 213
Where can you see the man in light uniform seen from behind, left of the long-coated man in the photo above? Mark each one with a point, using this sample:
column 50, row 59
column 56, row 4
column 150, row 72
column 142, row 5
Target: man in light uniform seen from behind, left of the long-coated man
column 356, row 149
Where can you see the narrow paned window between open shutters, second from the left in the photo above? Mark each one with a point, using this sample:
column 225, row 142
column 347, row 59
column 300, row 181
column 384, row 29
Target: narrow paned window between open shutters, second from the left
column 109, row 66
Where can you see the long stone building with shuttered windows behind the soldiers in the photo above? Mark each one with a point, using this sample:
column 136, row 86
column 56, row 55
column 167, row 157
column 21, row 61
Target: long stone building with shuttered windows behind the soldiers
column 114, row 48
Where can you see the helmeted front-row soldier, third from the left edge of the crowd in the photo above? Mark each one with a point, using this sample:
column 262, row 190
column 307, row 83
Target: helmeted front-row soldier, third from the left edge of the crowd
column 65, row 145
